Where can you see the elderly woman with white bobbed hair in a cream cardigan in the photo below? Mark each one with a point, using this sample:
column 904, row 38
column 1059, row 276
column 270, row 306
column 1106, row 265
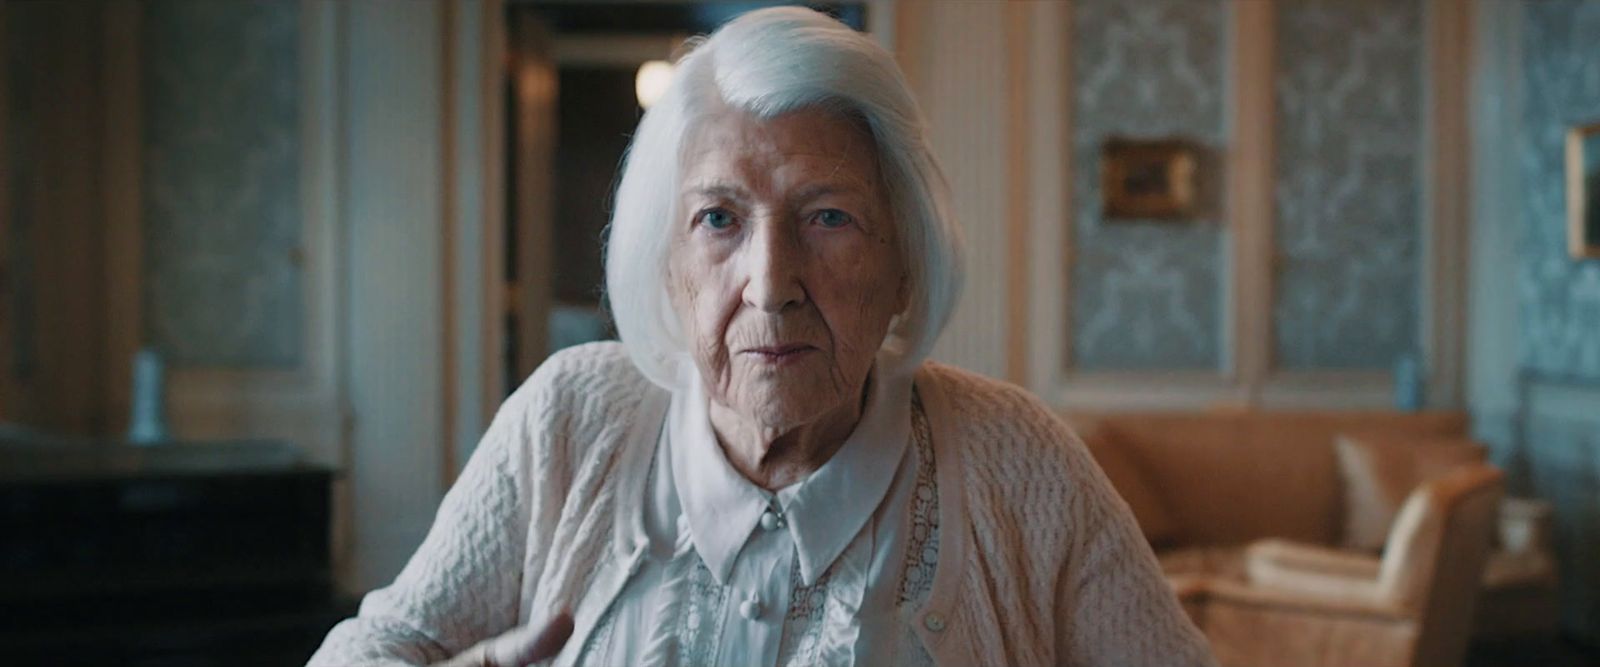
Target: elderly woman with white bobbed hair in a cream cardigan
column 766, row 471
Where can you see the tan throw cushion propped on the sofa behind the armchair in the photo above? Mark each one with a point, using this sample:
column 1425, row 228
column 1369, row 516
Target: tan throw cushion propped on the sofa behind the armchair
column 1380, row 471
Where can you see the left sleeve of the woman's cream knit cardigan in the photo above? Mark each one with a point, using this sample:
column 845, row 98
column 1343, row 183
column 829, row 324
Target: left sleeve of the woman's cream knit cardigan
column 463, row 583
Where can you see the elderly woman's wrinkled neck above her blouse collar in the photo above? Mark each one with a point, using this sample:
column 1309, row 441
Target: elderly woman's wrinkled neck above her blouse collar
column 777, row 457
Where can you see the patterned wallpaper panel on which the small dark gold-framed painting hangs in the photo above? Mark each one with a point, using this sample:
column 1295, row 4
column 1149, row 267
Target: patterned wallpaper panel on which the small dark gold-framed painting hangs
column 1146, row 295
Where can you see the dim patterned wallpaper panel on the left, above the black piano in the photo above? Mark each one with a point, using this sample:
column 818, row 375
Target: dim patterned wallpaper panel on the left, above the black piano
column 223, row 281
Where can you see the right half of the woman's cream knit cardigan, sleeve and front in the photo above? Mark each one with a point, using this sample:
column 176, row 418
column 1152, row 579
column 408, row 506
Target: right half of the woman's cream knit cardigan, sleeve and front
column 1058, row 573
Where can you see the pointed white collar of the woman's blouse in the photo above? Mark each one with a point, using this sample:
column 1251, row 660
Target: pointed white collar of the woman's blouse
column 822, row 513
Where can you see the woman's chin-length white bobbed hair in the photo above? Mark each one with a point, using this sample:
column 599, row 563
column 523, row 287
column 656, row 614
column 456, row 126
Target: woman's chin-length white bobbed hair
column 769, row 63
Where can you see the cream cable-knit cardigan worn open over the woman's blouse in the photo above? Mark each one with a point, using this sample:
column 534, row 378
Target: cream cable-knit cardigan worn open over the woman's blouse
column 1041, row 562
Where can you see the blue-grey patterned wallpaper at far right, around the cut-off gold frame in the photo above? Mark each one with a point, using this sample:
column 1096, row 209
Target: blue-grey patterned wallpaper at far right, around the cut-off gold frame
column 1561, row 300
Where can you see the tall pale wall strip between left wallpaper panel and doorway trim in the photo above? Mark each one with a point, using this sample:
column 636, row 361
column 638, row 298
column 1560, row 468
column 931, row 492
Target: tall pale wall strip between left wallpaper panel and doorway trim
column 394, row 174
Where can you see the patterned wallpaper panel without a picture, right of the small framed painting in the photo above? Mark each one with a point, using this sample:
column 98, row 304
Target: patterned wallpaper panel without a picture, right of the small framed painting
column 1348, row 196
